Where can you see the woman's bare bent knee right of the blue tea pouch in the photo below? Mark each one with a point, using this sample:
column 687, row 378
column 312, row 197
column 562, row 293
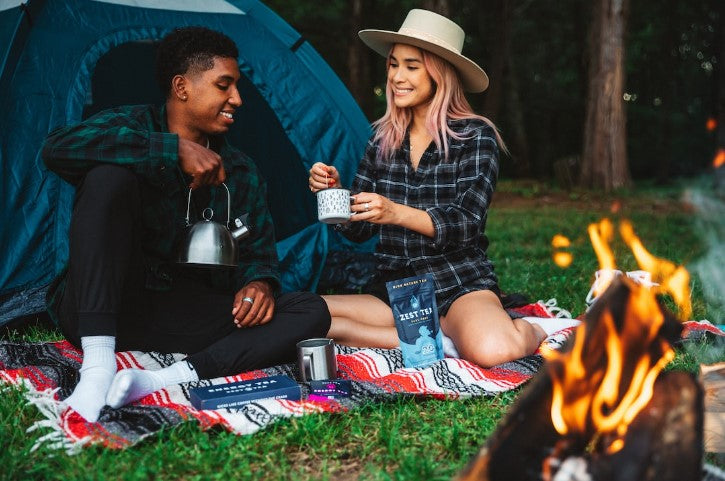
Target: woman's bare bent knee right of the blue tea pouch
column 485, row 334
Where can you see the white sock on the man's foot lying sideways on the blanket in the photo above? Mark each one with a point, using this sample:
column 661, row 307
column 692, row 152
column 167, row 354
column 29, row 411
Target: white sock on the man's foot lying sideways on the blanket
column 132, row 384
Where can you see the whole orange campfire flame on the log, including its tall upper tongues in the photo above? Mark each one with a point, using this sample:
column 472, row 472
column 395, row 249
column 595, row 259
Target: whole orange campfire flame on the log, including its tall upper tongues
column 608, row 376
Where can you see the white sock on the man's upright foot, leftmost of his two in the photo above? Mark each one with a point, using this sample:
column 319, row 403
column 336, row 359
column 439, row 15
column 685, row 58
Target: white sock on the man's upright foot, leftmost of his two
column 97, row 370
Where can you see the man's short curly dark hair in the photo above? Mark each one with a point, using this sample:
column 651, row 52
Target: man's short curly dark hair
column 189, row 49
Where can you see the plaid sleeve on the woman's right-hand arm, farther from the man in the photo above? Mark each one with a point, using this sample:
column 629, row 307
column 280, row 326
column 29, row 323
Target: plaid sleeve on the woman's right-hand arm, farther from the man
column 463, row 220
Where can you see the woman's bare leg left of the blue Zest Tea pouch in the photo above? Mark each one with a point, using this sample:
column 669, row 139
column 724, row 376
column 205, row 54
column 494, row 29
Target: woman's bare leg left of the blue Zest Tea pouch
column 361, row 320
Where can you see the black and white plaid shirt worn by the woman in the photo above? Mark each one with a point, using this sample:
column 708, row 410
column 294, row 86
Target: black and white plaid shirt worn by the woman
column 456, row 194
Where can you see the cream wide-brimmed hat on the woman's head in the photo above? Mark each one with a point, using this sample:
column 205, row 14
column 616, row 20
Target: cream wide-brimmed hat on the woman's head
column 434, row 33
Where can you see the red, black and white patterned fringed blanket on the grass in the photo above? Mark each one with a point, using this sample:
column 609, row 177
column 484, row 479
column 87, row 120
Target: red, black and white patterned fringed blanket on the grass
column 49, row 371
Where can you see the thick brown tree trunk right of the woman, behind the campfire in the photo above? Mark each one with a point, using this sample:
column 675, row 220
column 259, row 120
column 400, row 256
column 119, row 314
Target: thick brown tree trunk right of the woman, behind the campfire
column 604, row 157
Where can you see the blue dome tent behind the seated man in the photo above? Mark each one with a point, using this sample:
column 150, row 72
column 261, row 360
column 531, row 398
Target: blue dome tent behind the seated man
column 63, row 60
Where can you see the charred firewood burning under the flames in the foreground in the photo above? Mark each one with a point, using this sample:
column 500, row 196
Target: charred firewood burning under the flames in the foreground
column 663, row 442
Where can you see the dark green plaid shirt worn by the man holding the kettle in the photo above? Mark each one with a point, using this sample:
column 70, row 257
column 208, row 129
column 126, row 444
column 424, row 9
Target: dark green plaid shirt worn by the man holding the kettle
column 137, row 137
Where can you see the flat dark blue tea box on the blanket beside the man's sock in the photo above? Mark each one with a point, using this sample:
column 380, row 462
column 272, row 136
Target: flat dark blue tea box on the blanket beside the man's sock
column 236, row 394
